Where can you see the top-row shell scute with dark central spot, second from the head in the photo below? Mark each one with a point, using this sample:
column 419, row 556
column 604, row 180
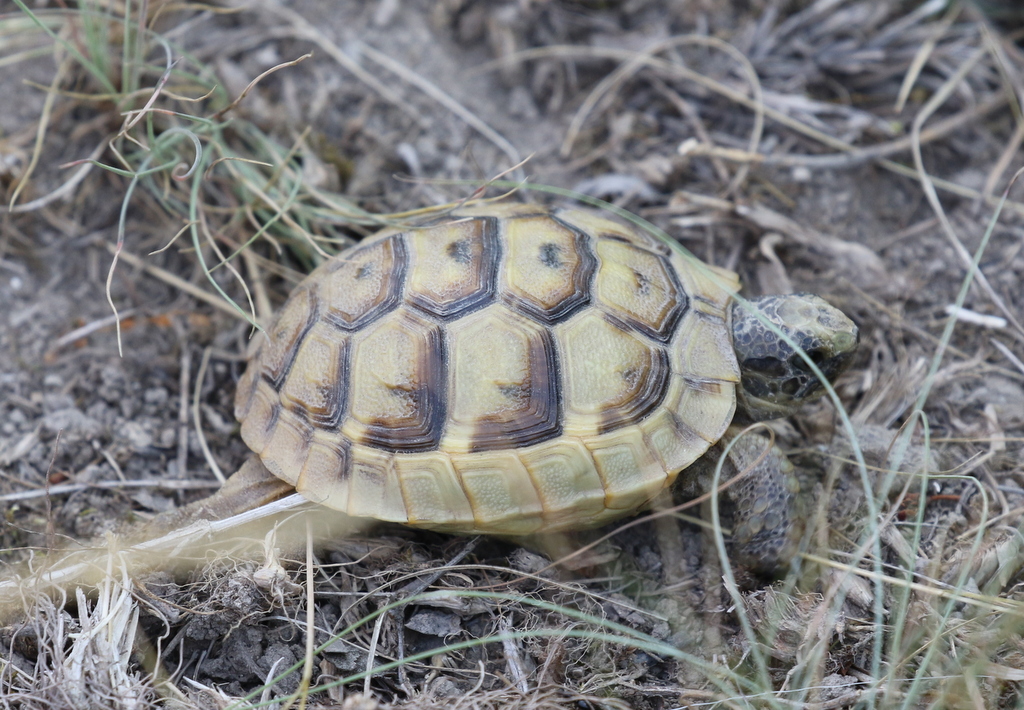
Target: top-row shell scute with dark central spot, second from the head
column 548, row 268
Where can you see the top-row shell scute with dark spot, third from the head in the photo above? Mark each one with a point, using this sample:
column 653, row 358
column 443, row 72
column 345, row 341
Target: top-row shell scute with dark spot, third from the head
column 454, row 267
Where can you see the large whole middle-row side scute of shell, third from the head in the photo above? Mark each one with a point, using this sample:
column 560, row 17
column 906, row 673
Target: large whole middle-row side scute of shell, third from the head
column 397, row 389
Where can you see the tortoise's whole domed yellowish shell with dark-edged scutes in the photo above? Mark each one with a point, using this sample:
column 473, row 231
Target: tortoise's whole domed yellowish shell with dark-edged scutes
column 505, row 369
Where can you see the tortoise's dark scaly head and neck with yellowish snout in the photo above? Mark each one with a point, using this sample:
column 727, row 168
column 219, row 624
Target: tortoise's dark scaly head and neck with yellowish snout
column 776, row 379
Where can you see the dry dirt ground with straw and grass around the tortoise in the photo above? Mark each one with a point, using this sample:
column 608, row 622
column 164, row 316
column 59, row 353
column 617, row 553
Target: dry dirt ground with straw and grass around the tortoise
column 805, row 180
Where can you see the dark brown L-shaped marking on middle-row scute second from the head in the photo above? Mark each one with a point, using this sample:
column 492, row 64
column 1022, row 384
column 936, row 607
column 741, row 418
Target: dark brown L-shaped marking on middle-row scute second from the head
column 543, row 417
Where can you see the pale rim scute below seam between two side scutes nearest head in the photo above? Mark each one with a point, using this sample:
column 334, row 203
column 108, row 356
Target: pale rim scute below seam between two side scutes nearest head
column 567, row 481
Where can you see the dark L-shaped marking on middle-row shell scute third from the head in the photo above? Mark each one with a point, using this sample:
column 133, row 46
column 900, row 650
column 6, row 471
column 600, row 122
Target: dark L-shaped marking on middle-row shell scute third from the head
column 429, row 400
